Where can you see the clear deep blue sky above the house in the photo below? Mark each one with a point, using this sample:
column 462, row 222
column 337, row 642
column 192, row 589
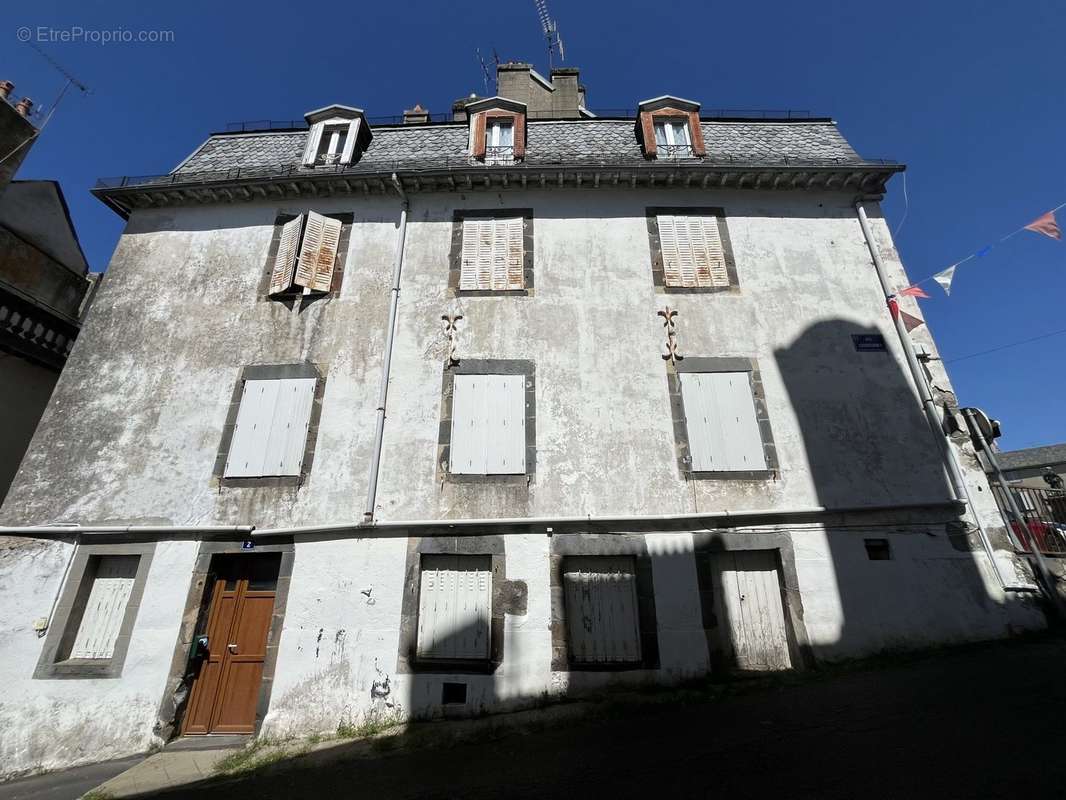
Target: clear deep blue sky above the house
column 967, row 94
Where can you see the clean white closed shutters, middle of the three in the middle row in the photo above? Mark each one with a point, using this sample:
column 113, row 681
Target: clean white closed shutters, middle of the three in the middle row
column 489, row 425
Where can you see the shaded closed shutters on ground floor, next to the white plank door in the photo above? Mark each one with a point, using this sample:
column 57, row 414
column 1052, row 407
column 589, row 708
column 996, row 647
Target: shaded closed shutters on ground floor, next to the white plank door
column 602, row 611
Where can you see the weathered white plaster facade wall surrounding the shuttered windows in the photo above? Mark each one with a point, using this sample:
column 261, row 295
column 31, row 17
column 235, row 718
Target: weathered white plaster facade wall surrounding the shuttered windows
column 134, row 429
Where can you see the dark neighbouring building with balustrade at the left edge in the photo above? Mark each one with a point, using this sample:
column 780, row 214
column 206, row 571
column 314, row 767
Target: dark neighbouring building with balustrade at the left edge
column 45, row 286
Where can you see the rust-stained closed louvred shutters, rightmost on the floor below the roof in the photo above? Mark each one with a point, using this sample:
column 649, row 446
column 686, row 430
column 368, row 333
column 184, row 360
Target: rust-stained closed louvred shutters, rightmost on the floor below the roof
column 693, row 257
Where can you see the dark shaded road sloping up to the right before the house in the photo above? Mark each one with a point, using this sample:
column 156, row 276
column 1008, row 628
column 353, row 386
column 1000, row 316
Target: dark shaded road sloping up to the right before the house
column 978, row 723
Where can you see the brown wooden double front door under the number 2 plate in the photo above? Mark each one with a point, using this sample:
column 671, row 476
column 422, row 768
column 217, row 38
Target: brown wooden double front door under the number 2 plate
column 225, row 692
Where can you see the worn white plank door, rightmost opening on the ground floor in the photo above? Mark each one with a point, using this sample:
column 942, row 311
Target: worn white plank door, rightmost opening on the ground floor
column 749, row 591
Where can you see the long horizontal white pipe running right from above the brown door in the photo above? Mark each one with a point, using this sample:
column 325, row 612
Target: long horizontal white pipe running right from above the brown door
column 739, row 518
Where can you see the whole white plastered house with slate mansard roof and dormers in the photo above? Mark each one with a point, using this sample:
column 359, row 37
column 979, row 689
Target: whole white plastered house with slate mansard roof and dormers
column 647, row 419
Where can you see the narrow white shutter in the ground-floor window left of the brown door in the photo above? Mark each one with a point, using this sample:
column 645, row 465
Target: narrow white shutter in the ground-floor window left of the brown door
column 106, row 607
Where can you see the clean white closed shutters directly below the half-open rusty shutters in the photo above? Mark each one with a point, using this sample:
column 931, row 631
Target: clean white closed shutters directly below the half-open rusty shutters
column 271, row 431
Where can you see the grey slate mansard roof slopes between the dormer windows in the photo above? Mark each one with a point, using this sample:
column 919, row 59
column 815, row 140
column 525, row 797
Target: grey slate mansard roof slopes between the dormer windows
column 555, row 142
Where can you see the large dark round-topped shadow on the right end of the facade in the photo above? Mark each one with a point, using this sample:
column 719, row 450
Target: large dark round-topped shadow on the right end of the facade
column 899, row 579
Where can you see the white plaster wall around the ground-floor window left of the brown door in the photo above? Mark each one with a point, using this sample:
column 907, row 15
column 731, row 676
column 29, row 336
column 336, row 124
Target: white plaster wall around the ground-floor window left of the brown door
column 49, row 725
